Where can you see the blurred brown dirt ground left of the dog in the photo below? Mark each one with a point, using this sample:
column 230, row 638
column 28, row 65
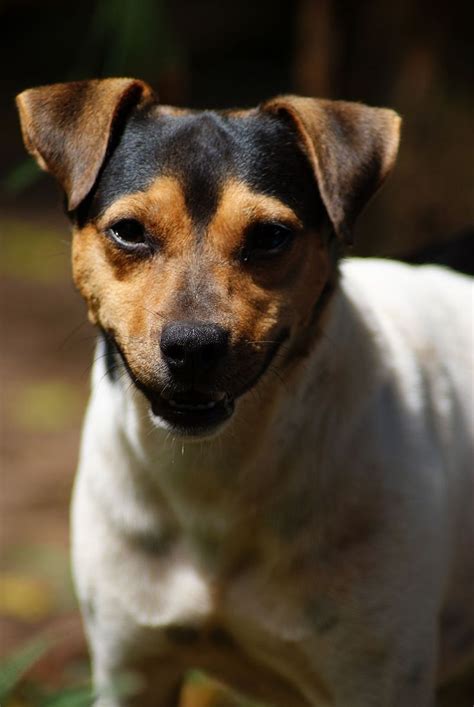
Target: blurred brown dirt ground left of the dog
column 45, row 355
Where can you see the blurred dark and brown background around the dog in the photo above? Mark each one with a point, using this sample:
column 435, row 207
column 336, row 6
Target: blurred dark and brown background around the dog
column 415, row 56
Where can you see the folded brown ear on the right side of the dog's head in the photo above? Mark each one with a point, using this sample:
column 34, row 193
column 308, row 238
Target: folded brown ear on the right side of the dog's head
column 352, row 149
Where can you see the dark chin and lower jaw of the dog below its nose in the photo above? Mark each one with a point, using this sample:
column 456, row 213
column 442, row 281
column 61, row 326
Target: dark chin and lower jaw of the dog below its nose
column 191, row 414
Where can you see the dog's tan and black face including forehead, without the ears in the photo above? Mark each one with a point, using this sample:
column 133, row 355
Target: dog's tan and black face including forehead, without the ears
column 200, row 254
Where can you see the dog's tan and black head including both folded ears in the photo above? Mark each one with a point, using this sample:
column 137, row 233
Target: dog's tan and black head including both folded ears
column 204, row 241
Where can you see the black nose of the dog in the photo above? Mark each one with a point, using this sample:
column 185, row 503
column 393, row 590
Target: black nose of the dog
column 193, row 348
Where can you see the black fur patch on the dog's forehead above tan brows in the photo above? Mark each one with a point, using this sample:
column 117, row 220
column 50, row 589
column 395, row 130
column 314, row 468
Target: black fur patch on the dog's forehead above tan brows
column 203, row 150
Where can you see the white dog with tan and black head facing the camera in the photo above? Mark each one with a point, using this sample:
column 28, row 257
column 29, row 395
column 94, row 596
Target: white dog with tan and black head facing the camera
column 276, row 474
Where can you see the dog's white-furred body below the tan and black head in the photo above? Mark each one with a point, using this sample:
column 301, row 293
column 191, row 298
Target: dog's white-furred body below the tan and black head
column 352, row 482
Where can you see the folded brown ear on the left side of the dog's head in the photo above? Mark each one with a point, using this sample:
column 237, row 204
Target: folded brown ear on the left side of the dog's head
column 67, row 127
